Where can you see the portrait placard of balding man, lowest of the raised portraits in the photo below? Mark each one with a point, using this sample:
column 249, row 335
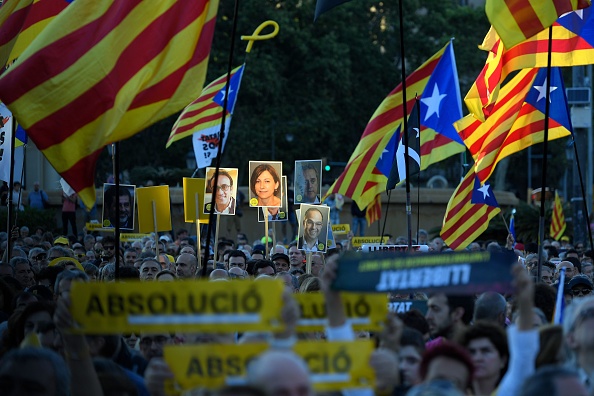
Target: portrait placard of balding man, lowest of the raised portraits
column 313, row 228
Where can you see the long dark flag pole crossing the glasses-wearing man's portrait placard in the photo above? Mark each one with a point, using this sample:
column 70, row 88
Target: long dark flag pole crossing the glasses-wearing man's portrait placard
column 221, row 140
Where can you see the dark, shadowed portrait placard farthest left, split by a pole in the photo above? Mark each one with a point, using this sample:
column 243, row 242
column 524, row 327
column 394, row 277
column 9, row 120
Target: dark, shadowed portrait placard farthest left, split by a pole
column 126, row 201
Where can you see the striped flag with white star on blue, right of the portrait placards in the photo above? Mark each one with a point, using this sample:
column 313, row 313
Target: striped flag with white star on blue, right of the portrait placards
column 361, row 179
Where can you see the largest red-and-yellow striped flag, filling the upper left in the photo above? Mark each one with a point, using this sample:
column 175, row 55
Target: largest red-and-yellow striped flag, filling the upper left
column 102, row 71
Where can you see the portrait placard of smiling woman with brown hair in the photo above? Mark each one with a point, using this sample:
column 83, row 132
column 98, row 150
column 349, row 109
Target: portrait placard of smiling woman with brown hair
column 265, row 184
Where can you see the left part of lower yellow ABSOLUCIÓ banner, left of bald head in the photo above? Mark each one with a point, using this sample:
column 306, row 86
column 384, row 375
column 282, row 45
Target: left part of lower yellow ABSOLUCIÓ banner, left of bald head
column 210, row 365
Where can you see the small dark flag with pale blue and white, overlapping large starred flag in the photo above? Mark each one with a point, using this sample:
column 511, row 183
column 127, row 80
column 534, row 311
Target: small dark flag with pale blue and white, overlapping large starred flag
column 398, row 172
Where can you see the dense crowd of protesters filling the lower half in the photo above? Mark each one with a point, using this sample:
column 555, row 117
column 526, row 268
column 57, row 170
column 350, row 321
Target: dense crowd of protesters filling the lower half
column 487, row 344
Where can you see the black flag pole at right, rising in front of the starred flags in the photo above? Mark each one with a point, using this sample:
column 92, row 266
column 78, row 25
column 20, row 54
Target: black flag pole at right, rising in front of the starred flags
column 544, row 158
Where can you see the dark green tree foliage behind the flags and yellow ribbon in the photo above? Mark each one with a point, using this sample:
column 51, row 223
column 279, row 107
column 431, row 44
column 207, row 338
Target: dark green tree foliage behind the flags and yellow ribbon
column 315, row 83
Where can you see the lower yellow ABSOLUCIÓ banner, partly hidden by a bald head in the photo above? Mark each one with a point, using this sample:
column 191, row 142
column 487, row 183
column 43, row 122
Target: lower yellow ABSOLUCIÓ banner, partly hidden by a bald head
column 333, row 365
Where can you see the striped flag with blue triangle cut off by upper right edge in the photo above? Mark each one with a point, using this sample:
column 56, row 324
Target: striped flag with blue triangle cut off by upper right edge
column 572, row 45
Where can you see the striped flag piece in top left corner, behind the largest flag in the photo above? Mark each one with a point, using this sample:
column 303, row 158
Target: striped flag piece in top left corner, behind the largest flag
column 21, row 21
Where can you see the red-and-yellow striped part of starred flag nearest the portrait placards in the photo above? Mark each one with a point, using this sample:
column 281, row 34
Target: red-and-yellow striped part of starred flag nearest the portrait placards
column 361, row 180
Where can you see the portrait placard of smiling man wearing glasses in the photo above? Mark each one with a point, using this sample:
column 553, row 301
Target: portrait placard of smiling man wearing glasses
column 225, row 190
